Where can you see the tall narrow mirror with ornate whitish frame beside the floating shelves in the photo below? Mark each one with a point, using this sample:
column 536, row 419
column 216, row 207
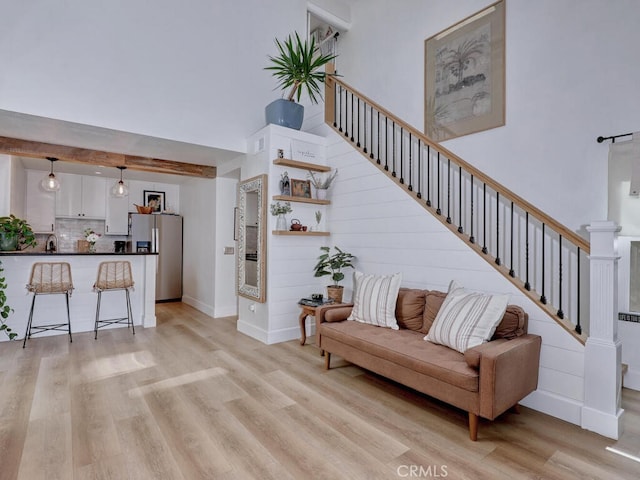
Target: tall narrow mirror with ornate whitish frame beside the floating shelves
column 252, row 241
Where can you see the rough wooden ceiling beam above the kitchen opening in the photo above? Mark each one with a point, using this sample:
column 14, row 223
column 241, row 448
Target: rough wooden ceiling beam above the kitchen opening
column 30, row 148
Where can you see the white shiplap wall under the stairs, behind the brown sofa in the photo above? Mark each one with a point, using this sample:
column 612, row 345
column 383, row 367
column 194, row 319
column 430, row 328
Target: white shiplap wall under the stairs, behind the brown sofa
column 389, row 232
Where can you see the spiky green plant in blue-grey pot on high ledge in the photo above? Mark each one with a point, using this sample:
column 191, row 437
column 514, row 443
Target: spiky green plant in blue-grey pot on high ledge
column 298, row 67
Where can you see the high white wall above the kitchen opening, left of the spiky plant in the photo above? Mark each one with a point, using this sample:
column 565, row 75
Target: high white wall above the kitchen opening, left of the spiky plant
column 188, row 71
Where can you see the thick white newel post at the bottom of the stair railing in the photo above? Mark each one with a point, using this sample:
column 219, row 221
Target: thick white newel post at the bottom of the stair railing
column 602, row 412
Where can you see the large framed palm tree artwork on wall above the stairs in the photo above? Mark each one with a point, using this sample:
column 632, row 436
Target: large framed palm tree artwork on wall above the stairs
column 465, row 76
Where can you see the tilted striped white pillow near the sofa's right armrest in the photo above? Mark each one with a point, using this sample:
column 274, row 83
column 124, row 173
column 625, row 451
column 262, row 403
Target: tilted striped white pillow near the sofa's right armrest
column 466, row 319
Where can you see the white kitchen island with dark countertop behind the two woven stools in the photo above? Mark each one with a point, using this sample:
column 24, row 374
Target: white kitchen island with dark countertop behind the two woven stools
column 82, row 304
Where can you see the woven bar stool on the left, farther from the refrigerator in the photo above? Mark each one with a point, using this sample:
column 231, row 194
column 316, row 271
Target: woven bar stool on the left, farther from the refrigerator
column 47, row 279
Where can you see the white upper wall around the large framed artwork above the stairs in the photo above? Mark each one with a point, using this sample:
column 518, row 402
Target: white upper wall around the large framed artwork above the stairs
column 570, row 77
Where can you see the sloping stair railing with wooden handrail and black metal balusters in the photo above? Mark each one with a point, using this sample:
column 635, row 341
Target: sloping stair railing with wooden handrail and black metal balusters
column 541, row 257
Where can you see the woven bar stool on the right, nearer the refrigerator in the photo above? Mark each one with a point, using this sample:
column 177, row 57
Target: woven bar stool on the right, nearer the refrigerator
column 114, row 276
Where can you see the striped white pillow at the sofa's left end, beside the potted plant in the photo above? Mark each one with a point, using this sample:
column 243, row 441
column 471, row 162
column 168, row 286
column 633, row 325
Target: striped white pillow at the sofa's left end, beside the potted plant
column 374, row 299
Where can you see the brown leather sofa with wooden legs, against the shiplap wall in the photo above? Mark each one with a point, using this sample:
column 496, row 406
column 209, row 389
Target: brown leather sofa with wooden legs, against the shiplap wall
column 485, row 381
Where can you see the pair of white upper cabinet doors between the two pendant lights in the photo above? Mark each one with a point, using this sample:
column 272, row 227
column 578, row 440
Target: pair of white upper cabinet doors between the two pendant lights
column 81, row 196
